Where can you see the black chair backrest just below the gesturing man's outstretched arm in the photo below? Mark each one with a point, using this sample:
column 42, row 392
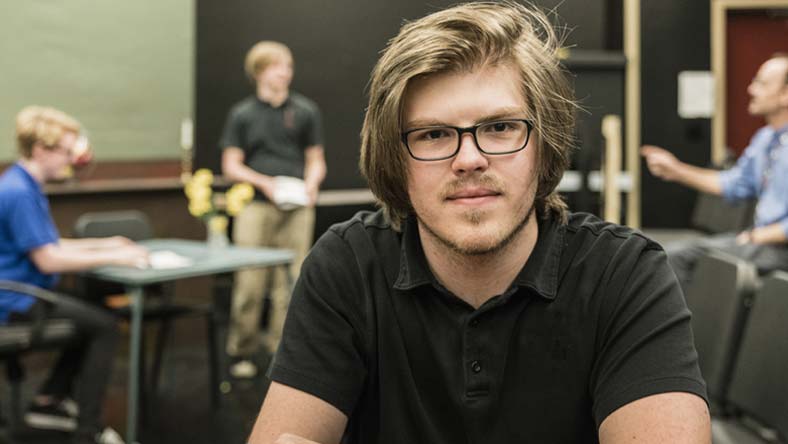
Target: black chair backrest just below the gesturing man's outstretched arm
column 713, row 214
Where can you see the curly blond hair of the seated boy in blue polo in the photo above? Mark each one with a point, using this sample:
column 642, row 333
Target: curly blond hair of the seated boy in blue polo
column 44, row 125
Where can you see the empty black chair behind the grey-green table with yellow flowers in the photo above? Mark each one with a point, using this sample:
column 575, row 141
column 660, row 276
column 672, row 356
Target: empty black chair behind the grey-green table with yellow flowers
column 159, row 305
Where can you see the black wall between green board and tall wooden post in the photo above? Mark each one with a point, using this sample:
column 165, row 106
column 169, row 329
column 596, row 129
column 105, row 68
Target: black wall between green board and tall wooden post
column 335, row 45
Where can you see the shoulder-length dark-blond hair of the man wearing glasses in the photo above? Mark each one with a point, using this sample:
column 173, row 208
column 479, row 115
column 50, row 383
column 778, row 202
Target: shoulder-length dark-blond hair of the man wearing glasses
column 460, row 39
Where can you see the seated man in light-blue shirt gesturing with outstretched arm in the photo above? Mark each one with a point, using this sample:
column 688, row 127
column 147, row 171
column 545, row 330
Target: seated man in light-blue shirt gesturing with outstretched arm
column 761, row 173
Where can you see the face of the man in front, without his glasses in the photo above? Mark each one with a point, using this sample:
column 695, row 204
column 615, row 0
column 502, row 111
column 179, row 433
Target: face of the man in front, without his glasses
column 472, row 203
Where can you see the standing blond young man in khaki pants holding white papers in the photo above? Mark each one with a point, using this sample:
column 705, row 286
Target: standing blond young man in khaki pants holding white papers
column 276, row 132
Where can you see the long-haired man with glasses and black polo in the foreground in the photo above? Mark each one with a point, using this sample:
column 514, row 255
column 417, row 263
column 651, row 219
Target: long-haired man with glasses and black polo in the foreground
column 473, row 307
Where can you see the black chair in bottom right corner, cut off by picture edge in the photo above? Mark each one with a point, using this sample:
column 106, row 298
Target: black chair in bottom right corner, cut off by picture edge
column 758, row 394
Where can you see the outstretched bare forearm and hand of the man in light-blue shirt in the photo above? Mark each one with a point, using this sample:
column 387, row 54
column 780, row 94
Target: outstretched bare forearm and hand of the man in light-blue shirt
column 666, row 166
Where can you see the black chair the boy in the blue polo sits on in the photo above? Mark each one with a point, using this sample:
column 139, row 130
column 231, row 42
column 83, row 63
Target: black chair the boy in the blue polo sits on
column 17, row 339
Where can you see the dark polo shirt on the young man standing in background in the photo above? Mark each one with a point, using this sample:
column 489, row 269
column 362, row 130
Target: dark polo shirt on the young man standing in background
column 274, row 138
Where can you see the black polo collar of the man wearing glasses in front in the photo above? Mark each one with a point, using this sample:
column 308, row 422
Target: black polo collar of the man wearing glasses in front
column 539, row 274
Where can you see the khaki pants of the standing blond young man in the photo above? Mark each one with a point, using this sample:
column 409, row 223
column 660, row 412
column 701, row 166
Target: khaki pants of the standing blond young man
column 263, row 224
